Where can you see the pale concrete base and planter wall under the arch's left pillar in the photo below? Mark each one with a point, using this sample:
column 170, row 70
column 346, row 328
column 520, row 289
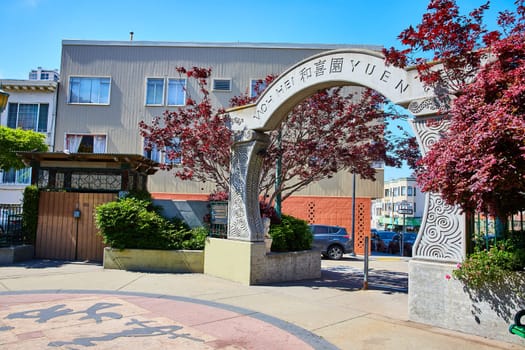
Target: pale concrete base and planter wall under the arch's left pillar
column 249, row 264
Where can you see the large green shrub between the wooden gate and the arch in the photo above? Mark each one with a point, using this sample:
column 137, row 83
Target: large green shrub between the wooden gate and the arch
column 135, row 223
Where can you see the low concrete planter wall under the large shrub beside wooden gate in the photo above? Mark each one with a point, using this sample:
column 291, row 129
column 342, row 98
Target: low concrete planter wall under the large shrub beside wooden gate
column 176, row 261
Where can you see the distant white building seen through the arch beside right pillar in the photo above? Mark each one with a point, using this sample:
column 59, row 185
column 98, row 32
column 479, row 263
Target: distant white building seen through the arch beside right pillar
column 386, row 210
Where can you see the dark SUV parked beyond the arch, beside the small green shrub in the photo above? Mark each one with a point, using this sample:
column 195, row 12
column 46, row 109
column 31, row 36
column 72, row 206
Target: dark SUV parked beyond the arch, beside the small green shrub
column 332, row 241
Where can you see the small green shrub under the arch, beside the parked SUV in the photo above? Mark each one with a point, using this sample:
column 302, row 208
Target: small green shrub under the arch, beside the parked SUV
column 290, row 235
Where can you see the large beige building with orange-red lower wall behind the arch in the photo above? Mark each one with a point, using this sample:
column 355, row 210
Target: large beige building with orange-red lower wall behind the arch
column 108, row 87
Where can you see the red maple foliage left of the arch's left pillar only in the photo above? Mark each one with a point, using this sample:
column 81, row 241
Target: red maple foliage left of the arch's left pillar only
column 197, row 133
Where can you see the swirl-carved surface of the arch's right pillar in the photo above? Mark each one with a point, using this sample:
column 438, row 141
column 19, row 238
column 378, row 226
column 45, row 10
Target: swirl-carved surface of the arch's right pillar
column 441, row 236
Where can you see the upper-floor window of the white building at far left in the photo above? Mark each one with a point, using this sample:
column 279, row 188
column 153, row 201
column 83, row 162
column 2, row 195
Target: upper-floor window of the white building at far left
column 28, row 116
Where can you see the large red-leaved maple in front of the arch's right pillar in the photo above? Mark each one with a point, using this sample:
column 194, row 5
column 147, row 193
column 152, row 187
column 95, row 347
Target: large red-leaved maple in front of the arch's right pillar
column 479, row 163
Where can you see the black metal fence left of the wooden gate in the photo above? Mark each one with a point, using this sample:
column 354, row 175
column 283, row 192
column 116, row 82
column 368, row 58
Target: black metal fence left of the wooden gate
column 11, row 232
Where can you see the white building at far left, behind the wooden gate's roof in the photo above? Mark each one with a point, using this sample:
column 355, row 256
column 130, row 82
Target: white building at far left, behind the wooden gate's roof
column 31, row 106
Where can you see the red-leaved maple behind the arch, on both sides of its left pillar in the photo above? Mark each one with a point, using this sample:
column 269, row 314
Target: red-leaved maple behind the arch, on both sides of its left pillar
column 333, row 130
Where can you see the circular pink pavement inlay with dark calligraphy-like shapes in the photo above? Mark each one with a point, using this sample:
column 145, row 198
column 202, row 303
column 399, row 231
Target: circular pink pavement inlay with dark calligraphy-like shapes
column 115, row 320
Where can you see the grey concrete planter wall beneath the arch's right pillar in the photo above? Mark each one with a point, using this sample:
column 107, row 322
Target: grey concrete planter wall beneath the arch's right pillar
column 446, row 303
